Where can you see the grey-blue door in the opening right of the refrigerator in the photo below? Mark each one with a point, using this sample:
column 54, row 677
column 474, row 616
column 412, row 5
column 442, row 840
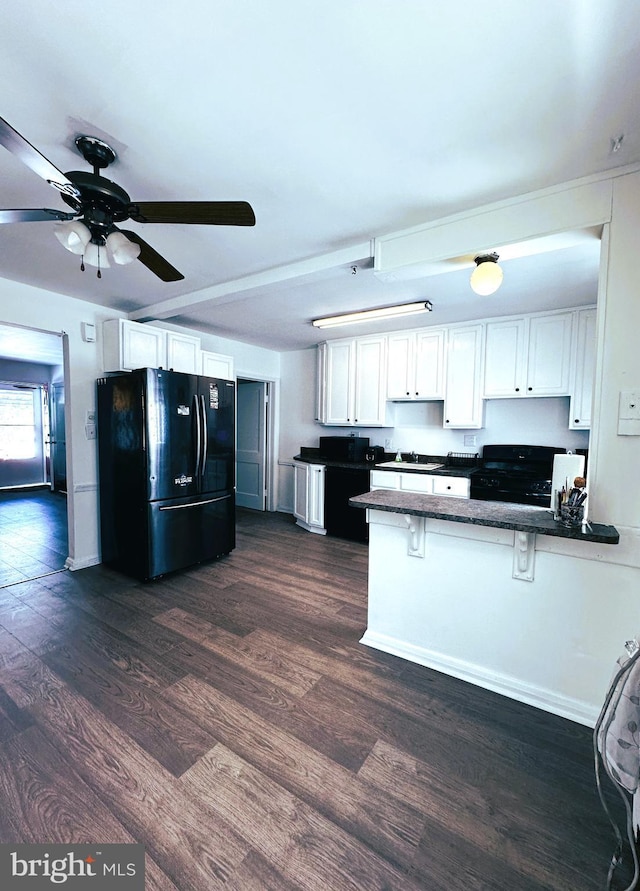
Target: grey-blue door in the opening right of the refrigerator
column 251, row 444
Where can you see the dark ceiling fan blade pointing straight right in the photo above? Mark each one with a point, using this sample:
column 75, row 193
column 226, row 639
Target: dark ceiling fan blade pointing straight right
column 204, row 213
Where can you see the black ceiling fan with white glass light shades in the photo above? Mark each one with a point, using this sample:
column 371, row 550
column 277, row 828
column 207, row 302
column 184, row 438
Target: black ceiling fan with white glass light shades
column 98, row 204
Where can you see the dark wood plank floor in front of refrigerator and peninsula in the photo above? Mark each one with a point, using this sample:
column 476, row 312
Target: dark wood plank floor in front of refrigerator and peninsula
column 228, row 719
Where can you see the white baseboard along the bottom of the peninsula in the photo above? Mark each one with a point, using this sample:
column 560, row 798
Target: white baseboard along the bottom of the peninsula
column 565, row 707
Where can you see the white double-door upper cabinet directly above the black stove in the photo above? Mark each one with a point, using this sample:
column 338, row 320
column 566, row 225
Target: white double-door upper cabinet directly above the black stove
column 529, row 356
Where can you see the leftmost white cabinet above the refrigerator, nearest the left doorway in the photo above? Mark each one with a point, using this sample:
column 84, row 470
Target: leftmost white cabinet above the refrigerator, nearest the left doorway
column 127, row 345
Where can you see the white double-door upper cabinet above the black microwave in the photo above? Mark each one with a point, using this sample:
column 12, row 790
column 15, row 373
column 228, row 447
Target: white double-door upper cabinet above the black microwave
column 352, row 379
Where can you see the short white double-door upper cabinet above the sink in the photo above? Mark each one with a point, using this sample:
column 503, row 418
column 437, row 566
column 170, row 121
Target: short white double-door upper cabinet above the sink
column 415, row 362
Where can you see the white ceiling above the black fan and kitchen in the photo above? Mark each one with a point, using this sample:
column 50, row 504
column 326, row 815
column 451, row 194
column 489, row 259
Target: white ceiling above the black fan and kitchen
column 339, row 121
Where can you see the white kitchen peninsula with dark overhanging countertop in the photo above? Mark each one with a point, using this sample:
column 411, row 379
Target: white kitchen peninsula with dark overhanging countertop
column 480, row 590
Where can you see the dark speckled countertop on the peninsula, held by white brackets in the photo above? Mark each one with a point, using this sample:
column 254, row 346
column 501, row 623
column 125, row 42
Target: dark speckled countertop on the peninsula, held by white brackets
column 520, row 517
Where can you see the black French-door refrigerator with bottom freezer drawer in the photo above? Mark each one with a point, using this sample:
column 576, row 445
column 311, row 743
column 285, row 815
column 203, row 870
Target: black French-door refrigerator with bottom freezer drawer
column 166, row 458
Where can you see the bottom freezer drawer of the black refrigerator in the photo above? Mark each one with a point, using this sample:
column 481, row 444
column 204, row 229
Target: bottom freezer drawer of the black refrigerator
column 182, row 534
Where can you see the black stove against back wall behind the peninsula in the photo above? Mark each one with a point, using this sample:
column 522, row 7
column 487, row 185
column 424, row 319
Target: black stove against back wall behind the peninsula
column 519, row 474
